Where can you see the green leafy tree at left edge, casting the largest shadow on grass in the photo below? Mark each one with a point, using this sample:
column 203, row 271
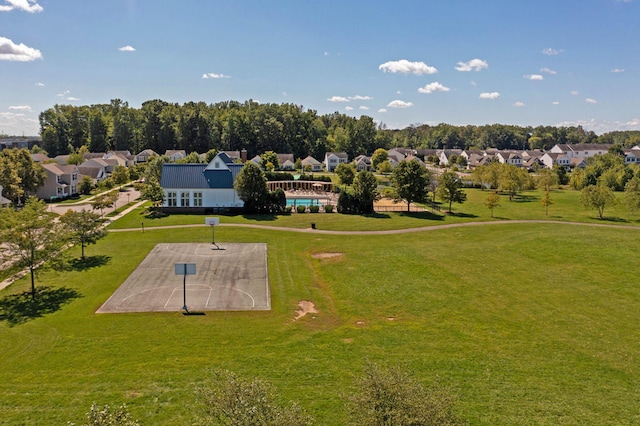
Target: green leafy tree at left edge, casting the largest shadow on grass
column 31, row 235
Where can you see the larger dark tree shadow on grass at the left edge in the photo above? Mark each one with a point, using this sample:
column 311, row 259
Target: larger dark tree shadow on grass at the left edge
column 19, row 308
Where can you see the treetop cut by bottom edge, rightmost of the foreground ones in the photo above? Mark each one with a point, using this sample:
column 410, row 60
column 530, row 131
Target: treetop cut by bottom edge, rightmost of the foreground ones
column 393, row 397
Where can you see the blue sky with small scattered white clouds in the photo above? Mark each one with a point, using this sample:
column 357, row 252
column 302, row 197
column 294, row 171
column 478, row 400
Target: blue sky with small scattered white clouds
column 542, row 62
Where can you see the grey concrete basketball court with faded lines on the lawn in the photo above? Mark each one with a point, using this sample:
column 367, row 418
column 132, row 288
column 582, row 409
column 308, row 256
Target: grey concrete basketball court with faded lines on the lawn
column 231, row 278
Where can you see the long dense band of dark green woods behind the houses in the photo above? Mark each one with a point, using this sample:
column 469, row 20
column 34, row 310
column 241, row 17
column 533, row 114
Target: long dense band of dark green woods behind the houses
column 284, row 128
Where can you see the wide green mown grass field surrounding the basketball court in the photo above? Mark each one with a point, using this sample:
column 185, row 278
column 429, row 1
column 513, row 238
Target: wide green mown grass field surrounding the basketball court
column 527, row 323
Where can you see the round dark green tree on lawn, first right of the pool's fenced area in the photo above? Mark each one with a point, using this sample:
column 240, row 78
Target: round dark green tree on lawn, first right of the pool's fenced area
column 411, row 182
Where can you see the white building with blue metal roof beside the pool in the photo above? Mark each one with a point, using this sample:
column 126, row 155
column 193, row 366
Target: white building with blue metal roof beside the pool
column 201, row 187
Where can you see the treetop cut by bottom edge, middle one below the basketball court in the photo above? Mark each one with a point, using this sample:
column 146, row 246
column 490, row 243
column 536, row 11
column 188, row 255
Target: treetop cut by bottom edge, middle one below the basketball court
column 232, row 400
